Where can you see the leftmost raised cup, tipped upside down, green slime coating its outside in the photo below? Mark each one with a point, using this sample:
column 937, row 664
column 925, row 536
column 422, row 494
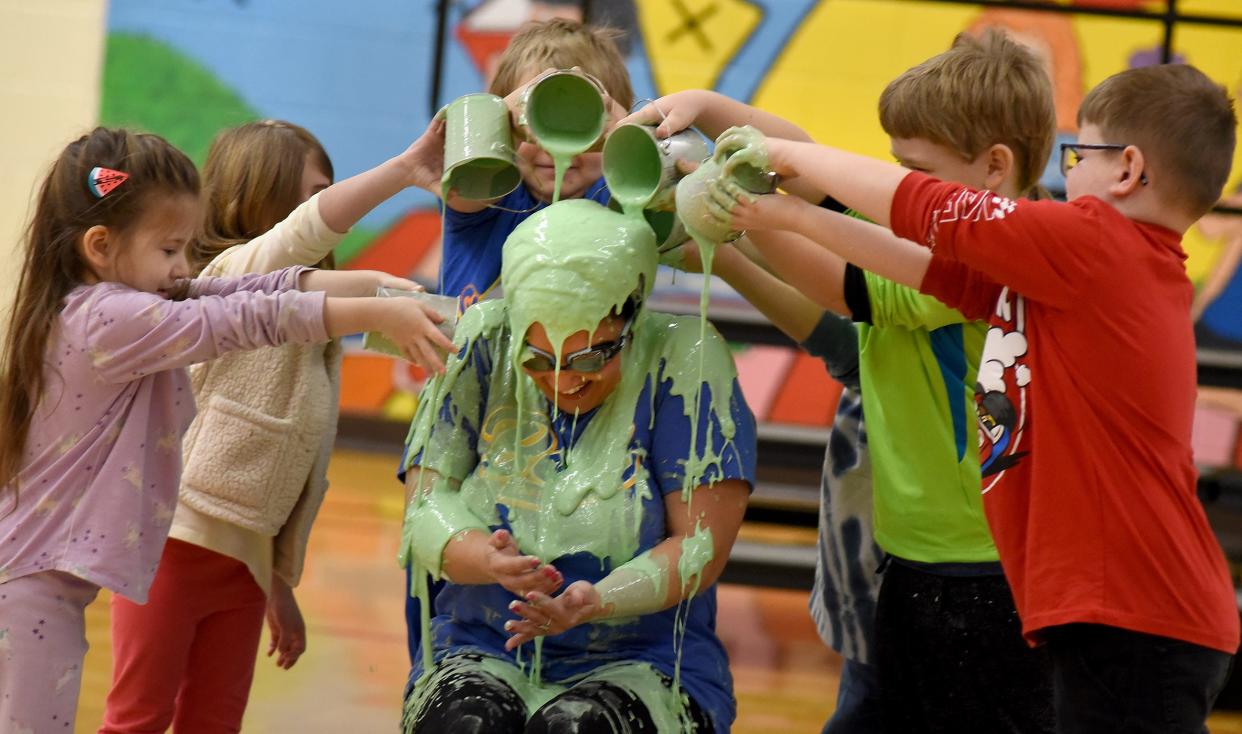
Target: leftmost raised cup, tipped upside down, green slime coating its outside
column 480, row 162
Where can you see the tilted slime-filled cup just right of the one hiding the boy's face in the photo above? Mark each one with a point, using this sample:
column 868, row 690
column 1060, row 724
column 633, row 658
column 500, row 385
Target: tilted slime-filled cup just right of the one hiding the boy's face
column 641, row 170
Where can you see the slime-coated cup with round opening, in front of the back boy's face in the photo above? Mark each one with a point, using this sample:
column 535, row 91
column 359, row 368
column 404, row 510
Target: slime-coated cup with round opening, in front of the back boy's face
column 564, row 112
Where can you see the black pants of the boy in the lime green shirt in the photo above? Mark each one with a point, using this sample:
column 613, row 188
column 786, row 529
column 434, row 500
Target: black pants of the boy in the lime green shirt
column 952, row 659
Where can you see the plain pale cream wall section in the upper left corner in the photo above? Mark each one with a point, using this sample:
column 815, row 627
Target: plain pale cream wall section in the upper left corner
column 50, row 60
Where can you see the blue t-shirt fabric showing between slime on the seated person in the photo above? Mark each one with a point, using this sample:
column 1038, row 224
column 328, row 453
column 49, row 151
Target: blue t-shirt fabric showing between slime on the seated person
column 471, row 618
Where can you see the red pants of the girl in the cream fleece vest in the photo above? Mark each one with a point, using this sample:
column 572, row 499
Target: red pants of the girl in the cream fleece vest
column 187, row 658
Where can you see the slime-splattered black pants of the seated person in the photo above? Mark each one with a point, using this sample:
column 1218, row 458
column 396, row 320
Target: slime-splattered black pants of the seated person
column 470, row 701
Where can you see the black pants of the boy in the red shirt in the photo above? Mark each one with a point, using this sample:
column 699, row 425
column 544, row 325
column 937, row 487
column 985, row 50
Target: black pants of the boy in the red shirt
column 1113, row 680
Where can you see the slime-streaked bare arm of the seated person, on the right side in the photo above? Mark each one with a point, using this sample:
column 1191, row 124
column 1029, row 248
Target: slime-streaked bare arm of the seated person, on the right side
column 692, row 557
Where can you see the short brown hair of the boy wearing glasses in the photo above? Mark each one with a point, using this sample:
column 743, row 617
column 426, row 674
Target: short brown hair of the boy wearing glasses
column 1181, row 120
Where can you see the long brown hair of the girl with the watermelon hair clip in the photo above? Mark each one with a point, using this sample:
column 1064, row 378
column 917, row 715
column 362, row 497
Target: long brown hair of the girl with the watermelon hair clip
column 54, row 265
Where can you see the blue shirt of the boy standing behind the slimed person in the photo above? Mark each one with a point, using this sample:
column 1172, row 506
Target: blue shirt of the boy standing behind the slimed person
column 471, row 263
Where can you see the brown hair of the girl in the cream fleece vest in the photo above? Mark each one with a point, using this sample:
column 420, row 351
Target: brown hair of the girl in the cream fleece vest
column 252, row 182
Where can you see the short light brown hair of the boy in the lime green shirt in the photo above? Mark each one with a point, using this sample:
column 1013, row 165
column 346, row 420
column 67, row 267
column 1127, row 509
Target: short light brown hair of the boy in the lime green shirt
column 981, row 93
